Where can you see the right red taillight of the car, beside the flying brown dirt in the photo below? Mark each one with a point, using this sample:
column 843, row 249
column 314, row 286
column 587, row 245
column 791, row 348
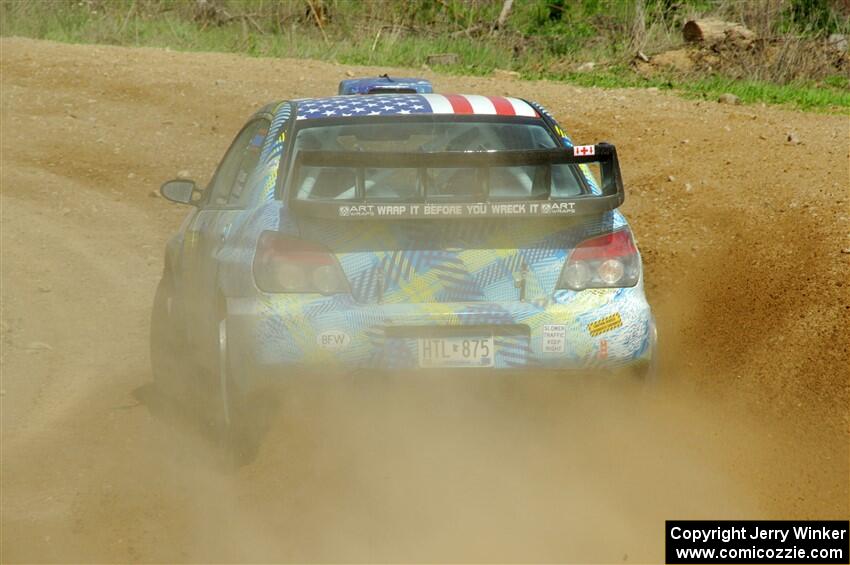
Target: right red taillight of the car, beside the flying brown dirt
column 606, row 261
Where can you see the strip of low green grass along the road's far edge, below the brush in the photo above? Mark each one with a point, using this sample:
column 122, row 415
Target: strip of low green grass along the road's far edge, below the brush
column 166, row 24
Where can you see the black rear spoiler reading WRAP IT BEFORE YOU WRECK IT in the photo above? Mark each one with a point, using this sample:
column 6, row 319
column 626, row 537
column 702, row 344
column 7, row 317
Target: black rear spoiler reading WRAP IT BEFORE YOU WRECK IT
column 612, row 193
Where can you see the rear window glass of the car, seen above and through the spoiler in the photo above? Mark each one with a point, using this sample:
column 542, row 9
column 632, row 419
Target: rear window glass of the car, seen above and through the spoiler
column 328, row 183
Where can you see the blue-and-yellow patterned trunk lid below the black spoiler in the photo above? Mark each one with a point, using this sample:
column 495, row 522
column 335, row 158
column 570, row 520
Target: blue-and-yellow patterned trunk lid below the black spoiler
column 437, row 261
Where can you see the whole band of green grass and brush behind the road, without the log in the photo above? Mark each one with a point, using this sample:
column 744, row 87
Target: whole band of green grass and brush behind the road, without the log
column 538, row 38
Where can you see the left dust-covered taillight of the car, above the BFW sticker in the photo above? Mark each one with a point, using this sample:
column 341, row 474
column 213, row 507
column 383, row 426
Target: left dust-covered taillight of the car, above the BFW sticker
column 288, row 264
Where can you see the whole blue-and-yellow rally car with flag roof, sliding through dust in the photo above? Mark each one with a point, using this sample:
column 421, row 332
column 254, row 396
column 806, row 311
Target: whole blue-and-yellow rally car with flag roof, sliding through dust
column 400, row 231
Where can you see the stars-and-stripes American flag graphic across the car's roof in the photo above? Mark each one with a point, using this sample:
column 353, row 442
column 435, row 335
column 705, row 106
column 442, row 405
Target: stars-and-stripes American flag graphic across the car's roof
column 400, row 104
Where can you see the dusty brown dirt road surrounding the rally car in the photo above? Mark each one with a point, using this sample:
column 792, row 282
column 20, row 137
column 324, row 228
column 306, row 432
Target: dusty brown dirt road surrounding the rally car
column 742, row 235
